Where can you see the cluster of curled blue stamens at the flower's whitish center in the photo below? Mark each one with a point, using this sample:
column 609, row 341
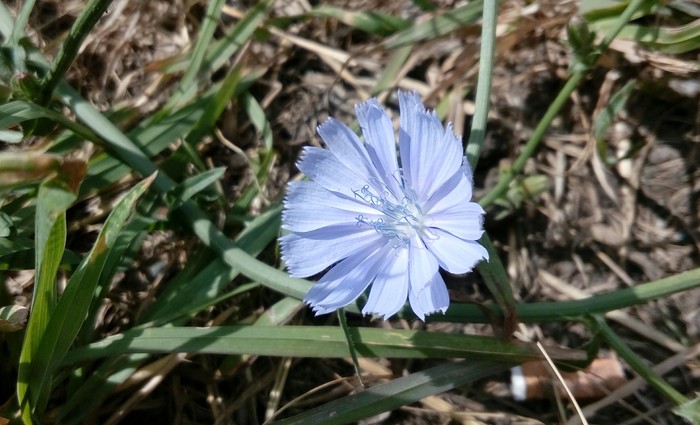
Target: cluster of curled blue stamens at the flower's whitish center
column 400, row 221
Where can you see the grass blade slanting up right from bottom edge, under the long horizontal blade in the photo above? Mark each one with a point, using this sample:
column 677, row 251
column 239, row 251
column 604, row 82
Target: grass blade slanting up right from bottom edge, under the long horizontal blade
column 397, row 393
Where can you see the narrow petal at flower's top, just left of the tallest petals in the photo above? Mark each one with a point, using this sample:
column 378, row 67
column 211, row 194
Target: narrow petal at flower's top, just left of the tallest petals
column 380, row 141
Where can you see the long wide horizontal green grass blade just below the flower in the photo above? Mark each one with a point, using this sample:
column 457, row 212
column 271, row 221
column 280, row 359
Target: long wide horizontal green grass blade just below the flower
column 312, row 341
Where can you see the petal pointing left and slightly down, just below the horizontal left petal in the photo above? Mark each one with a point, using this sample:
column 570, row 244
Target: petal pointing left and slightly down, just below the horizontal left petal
column 308, row 253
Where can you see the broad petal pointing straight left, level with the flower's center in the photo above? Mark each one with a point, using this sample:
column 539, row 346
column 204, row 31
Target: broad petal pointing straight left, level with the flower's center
column 308, row 207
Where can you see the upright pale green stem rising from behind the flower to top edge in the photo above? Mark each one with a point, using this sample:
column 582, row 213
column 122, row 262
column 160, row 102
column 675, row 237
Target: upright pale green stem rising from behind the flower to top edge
column 483, row 86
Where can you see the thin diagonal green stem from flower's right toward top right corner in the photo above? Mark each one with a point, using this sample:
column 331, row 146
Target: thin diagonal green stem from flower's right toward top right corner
column 554, row 108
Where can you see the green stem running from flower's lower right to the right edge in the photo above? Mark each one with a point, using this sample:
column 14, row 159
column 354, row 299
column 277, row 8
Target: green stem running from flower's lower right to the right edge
column 574, row 310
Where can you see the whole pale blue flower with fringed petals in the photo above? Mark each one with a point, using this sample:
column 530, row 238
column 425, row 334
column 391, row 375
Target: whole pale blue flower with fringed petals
column 379, row 220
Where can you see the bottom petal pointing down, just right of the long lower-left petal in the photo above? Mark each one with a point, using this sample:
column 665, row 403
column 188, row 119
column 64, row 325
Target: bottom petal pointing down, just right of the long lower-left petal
column 390, row 287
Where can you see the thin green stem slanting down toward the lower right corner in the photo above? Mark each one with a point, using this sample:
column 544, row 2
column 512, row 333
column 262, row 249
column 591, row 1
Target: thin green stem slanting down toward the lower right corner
column 637, row 363
